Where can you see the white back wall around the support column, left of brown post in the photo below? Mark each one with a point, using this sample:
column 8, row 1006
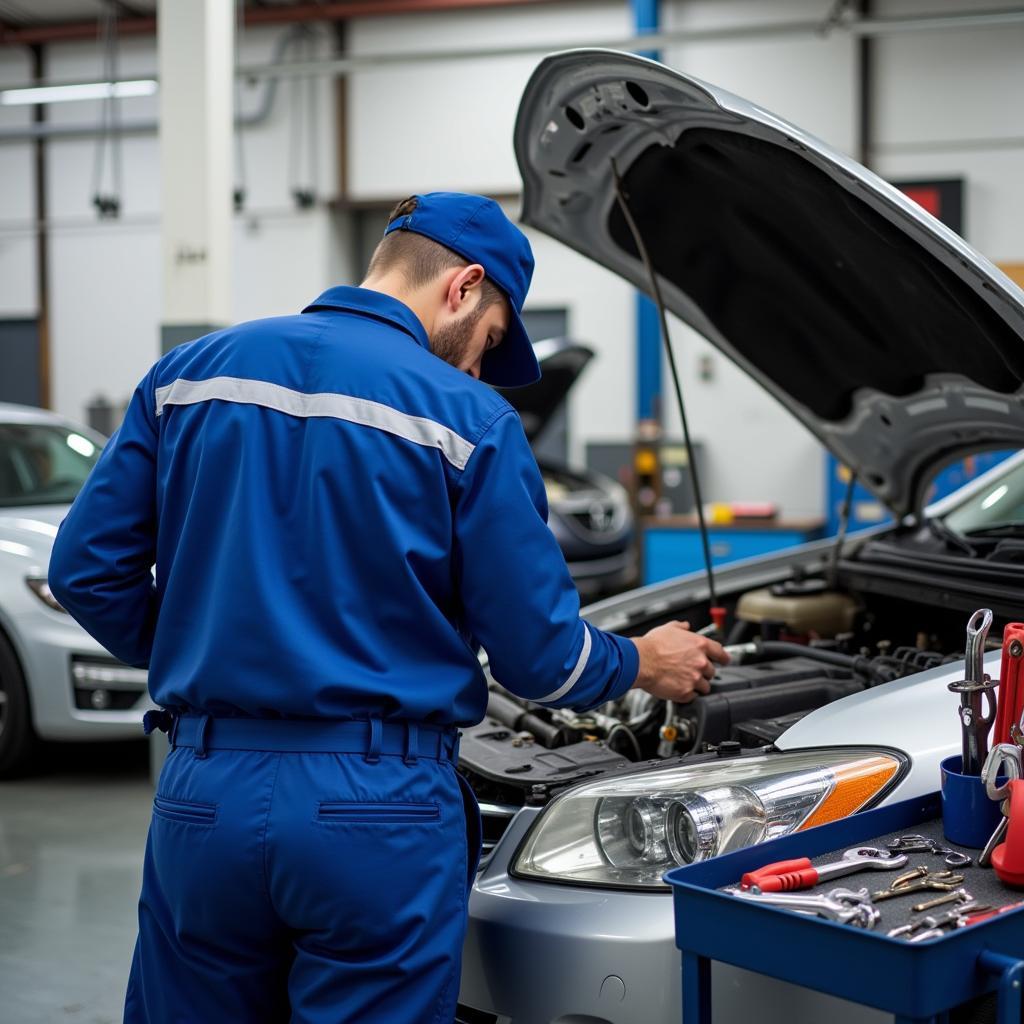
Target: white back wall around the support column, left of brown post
column 105, row 276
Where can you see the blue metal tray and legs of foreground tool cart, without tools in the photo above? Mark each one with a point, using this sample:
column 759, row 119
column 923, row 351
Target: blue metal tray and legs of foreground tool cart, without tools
column 915, row 983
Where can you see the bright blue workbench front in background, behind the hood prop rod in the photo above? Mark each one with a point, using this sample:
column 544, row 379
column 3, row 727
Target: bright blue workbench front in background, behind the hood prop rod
column 673, row 548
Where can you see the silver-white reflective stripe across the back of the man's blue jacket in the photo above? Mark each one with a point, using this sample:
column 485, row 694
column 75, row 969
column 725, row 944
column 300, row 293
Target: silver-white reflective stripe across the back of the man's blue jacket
column 329, row 405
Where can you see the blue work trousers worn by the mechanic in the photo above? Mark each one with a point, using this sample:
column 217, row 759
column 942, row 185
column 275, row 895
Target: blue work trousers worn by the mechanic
column 310, row 887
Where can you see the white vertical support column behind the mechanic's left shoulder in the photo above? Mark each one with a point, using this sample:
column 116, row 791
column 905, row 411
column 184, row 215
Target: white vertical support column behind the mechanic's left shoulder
column 197, row 74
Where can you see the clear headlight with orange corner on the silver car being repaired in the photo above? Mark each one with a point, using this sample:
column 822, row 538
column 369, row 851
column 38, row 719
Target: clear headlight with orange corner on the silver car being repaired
column 627, row 833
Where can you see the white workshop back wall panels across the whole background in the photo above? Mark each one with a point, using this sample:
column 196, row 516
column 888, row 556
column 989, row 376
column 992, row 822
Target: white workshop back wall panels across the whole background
column 948, row 105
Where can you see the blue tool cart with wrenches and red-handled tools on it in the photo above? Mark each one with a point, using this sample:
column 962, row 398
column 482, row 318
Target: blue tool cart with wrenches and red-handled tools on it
column 938, row 931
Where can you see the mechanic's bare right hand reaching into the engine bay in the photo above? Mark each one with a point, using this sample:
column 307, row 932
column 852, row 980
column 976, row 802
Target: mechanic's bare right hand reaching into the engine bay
column 677, row 665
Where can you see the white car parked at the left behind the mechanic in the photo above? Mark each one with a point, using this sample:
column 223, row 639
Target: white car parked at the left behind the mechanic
column 56, row 681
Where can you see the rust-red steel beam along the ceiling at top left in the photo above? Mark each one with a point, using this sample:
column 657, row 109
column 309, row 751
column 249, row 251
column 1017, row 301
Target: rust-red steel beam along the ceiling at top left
column 32, row 35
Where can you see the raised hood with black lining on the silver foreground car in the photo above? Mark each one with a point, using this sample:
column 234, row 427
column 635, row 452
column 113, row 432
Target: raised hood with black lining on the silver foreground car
column 898, row 345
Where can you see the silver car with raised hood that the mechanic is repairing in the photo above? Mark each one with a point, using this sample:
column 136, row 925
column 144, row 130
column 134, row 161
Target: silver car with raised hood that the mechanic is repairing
column 902, row 350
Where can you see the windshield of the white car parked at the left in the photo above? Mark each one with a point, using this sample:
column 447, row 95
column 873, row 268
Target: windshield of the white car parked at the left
column 44, row 463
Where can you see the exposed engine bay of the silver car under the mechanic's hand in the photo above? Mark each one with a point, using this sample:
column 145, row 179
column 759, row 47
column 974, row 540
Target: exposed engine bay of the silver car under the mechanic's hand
column 796, row 646
